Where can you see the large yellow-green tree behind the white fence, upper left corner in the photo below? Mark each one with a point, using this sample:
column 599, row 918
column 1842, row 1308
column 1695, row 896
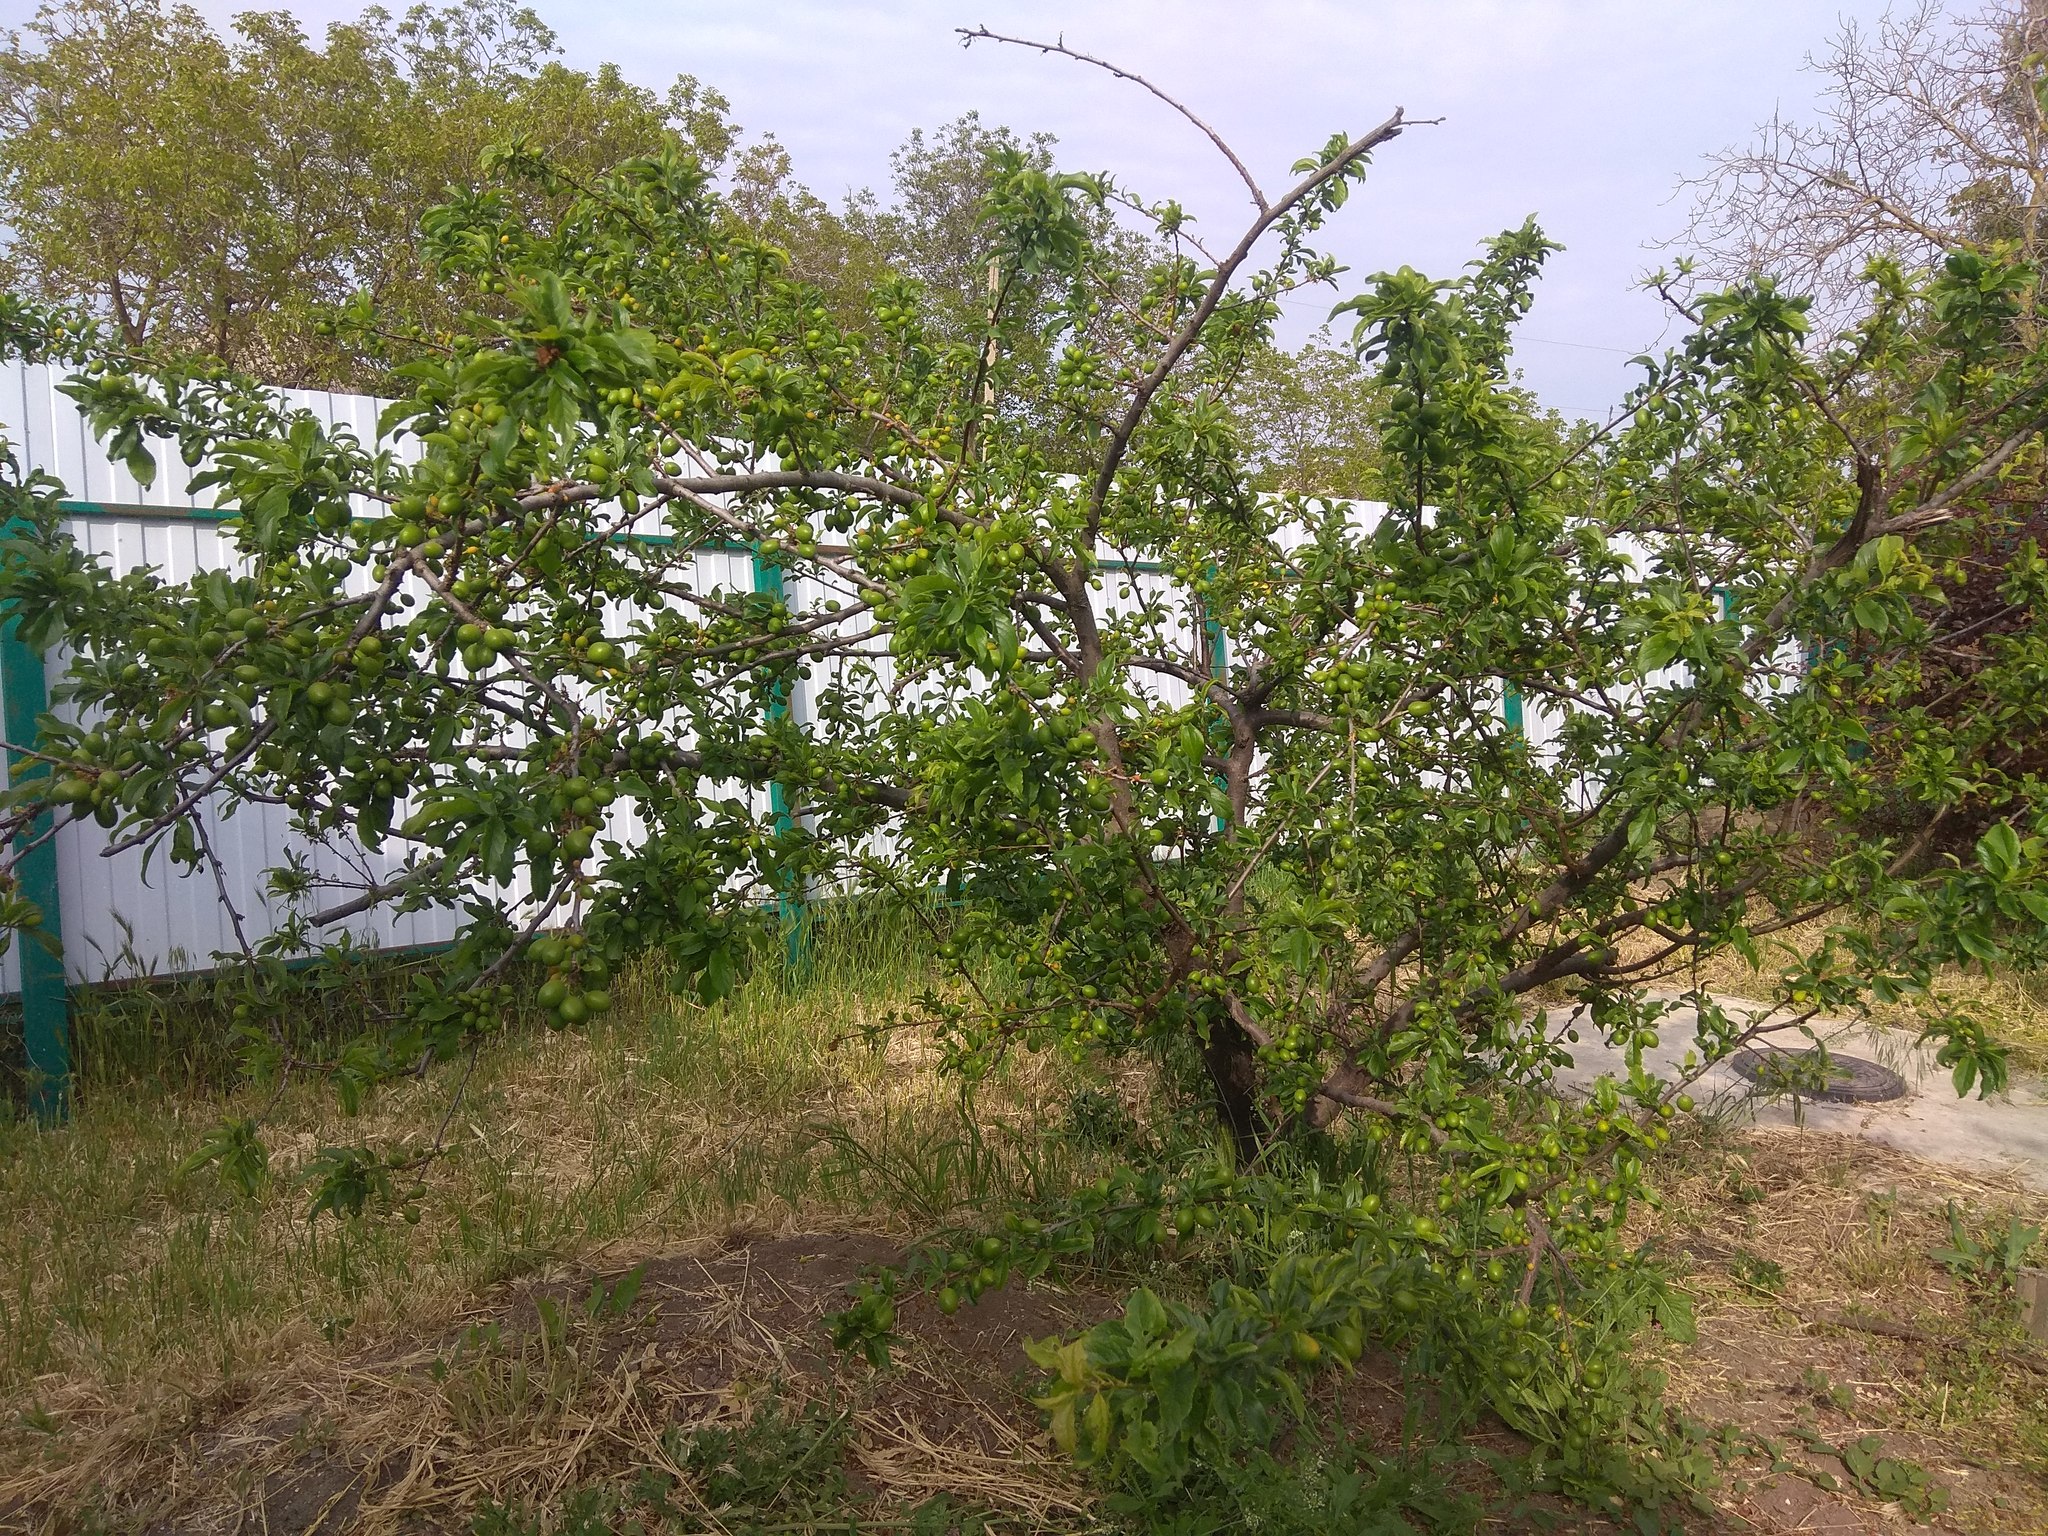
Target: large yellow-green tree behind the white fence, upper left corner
column 224, row 196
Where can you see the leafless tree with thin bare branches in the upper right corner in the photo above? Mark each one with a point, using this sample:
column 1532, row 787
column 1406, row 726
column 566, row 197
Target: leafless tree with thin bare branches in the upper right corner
column 1932, row 138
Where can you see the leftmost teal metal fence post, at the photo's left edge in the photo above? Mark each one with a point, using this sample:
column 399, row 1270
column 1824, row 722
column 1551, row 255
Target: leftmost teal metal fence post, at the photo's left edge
column 44, row 1005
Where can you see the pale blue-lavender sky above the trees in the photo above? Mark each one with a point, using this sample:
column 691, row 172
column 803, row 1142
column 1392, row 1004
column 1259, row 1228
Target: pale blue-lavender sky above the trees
column 1580, row 112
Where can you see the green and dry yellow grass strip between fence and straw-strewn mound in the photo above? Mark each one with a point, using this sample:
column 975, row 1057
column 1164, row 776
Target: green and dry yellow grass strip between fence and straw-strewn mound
column 151, row 1318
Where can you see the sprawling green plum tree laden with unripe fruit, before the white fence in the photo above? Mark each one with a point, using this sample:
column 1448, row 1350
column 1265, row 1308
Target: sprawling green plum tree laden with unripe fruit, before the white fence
column 1330, row 871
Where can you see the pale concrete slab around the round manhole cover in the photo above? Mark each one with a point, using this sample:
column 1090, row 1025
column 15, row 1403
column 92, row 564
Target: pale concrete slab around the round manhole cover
column 2004, row 1134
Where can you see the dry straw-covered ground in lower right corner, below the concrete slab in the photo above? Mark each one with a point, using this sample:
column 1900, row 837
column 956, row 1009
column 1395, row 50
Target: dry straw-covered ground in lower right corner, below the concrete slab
column 1824, row 1318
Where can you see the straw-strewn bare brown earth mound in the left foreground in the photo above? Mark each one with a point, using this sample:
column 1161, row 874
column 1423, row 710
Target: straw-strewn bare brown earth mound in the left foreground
column 515, row 1416
